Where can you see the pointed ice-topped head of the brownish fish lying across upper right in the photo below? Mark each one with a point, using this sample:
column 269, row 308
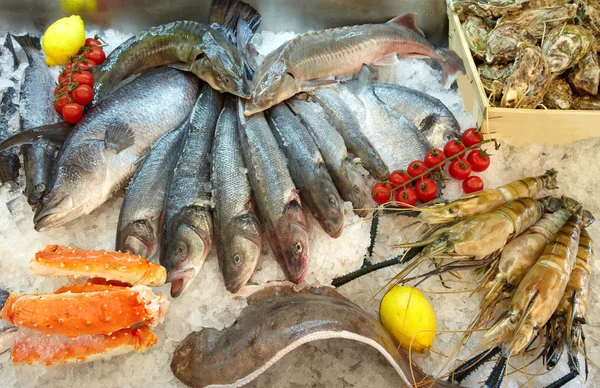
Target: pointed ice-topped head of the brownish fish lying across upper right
column 270, row 86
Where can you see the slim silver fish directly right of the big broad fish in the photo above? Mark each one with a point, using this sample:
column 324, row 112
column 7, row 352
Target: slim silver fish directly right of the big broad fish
column 138, row 230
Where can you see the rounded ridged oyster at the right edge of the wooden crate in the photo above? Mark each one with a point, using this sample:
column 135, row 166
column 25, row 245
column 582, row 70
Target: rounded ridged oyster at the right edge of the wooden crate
column 566, row 45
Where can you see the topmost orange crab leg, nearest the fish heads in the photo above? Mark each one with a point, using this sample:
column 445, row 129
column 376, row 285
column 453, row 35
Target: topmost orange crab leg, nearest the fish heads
column 56, row 260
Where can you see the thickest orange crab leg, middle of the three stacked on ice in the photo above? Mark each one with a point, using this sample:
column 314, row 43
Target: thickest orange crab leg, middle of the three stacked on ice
column 88, row 309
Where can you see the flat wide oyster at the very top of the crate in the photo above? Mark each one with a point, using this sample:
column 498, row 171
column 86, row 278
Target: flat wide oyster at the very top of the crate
column 540, row 21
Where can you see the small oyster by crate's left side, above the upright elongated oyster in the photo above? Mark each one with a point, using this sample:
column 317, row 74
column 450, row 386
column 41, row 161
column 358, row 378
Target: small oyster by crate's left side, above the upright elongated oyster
column 501, row 46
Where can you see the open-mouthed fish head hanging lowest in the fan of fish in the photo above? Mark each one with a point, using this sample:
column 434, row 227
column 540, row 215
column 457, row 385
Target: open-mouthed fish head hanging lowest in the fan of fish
column 188, row 247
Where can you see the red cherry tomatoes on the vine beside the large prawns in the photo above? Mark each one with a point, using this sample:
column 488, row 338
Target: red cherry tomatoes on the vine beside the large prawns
column 399, row 185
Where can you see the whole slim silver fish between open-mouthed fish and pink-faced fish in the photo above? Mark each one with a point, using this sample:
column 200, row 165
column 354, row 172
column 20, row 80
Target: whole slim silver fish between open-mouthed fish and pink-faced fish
column 238, row 234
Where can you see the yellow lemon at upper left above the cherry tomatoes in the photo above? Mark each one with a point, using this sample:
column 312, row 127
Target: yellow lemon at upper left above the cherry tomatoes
column 63, row 39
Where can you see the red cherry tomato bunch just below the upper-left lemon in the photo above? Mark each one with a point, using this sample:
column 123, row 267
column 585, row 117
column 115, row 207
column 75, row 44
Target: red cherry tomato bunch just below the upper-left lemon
column 75, row 83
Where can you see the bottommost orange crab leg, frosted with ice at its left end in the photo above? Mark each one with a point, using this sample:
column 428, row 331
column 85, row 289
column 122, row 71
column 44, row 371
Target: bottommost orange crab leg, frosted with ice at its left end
column 36, row 348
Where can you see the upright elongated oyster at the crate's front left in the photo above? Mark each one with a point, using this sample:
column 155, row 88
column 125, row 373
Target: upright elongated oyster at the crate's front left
column 529, row 80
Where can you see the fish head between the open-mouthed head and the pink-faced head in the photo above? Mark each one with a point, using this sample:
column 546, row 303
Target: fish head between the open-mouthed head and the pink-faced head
column 240, row 253
